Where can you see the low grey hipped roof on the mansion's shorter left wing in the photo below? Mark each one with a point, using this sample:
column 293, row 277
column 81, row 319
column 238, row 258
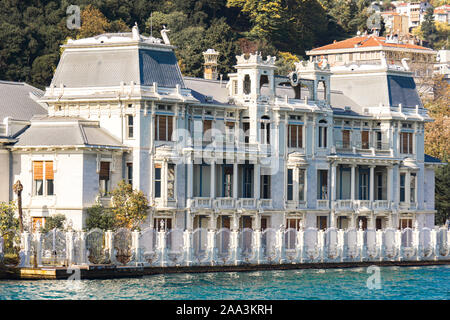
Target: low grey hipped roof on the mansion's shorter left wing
column 66, row 132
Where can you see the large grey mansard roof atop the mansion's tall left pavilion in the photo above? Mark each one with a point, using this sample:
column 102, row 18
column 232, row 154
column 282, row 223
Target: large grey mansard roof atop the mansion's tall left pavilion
column 103, row 67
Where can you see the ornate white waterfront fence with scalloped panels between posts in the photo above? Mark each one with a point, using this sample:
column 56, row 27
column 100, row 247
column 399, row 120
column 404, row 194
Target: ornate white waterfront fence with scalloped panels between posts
column 177, row 247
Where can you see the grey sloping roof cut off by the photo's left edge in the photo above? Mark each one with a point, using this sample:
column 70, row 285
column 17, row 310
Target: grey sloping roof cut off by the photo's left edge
column 18, row 101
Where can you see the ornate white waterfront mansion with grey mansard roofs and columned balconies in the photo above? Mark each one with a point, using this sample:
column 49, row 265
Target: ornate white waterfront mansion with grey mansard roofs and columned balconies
column 320, row 148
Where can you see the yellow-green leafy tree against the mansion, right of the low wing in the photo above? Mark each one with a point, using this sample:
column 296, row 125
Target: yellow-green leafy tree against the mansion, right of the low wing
column 130, row 207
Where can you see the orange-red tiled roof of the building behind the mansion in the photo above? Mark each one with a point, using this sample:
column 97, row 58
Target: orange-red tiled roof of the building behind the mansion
column 365, row 42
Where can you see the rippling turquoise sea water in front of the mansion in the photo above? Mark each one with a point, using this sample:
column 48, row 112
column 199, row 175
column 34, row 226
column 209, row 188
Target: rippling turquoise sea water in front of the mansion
column 397, row 283
